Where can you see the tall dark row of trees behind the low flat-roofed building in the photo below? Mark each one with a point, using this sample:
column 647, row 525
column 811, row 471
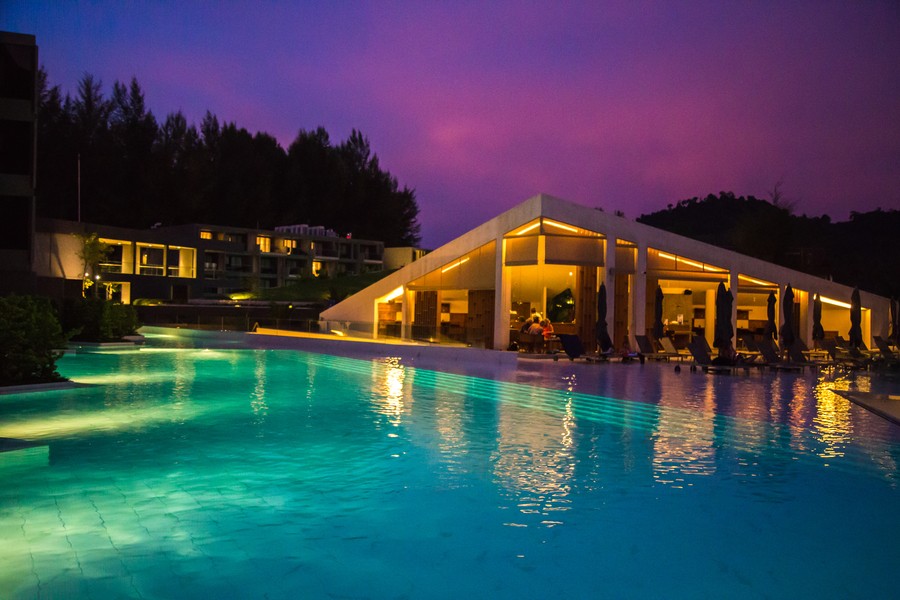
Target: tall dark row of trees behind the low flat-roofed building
column 137, row 171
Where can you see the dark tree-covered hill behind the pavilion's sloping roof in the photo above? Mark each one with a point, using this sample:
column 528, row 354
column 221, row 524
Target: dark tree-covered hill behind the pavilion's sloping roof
column 860, row 251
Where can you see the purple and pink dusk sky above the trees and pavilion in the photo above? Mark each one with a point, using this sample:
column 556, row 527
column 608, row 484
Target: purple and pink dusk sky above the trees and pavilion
column 621, row 105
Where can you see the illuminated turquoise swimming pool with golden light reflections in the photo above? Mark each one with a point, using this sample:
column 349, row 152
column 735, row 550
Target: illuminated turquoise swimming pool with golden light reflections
column 191, row 473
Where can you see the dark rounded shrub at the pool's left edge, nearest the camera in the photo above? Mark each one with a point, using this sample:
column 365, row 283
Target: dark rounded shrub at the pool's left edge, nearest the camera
column 30, row 339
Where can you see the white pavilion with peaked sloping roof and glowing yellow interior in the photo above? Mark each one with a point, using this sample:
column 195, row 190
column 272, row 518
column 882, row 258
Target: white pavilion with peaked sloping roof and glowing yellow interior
column 552, row 256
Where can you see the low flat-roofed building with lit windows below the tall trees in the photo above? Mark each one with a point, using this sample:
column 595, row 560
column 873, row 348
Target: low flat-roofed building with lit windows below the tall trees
column 185, row 262
